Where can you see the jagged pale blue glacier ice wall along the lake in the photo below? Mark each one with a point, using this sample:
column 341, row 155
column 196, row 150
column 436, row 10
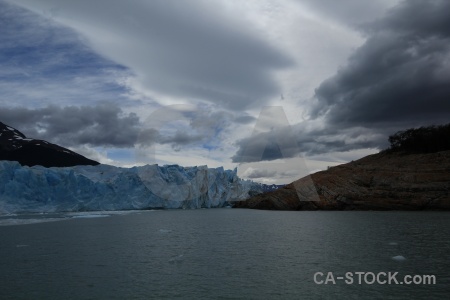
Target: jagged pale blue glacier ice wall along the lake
column 36, row 189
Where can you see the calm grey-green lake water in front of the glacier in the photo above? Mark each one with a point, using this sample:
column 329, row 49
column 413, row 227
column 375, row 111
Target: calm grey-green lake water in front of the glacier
column 222, row 254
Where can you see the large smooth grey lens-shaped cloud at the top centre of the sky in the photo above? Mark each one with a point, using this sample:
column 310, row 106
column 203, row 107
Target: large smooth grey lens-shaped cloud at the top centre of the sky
column 193, row 50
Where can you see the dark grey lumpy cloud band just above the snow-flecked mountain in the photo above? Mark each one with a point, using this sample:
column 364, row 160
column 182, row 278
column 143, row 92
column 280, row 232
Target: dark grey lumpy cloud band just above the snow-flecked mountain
column 100, row 125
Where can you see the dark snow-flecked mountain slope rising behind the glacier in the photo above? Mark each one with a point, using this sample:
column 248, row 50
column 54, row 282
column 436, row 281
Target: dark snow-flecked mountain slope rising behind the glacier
column 15, row 146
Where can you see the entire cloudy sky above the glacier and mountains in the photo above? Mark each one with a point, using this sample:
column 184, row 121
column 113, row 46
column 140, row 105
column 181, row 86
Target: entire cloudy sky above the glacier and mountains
column 278, row 89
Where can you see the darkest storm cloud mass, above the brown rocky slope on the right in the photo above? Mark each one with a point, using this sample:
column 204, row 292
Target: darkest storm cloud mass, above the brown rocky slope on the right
column 399, row 78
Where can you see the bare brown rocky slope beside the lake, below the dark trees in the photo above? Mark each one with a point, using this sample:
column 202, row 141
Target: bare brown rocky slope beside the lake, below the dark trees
column 385, row 181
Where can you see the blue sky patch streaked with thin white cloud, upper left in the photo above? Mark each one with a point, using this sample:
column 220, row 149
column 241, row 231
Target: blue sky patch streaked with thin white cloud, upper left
column 43, row 62
